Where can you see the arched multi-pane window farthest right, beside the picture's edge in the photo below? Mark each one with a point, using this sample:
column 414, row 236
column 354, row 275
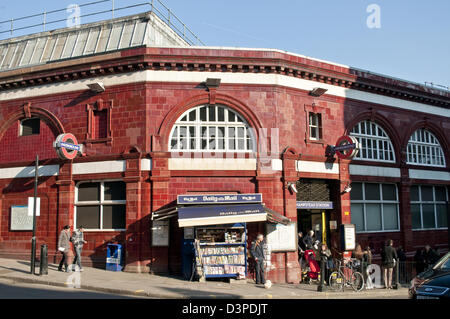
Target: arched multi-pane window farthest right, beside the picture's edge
column 425, row 149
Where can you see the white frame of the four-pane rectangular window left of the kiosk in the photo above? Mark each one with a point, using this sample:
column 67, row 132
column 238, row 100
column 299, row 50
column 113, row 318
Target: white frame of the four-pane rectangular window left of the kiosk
column 100, row 203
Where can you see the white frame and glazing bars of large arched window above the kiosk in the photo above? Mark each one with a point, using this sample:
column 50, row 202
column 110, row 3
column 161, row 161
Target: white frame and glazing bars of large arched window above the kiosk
column 197, row 124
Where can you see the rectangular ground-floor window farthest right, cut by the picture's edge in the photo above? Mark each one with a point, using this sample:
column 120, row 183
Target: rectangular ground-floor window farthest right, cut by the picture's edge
column 429, row 207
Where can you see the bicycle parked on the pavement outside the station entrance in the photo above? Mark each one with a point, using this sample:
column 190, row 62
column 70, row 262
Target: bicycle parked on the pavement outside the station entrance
column 346, row 275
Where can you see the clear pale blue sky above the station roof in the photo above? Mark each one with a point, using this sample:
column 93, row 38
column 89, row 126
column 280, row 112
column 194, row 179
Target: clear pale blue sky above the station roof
column 413, row 41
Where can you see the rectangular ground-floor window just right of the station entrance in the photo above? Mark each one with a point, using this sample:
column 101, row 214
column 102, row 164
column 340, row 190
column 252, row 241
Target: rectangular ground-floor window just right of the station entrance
column 374, row 207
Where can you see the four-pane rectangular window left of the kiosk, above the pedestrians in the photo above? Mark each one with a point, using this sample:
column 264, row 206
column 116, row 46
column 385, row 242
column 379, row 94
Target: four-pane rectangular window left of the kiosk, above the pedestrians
column 101, row 206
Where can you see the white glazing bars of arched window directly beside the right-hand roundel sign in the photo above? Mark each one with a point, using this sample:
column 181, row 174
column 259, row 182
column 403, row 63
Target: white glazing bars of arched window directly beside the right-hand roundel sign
column 374, row 139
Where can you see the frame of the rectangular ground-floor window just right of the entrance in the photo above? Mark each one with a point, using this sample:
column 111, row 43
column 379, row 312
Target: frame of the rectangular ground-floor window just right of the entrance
column 381, row 202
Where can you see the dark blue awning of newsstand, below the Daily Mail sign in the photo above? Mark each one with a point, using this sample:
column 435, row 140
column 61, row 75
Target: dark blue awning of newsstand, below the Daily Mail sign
column 220, row 214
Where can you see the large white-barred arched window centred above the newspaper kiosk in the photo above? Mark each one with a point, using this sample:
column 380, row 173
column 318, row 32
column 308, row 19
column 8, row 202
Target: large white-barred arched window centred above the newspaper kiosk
column 212, row 128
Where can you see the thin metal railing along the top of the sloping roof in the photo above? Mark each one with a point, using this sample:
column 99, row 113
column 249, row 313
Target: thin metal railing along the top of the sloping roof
column 40, row 22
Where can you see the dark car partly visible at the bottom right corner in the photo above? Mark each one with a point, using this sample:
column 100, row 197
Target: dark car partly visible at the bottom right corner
column 426, row 280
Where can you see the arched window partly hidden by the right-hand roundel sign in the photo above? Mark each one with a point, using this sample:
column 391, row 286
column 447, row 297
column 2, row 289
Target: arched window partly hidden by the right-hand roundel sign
column 375, row 144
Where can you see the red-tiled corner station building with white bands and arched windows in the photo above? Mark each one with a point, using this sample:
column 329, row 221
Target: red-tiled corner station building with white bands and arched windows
column 160, row 129
